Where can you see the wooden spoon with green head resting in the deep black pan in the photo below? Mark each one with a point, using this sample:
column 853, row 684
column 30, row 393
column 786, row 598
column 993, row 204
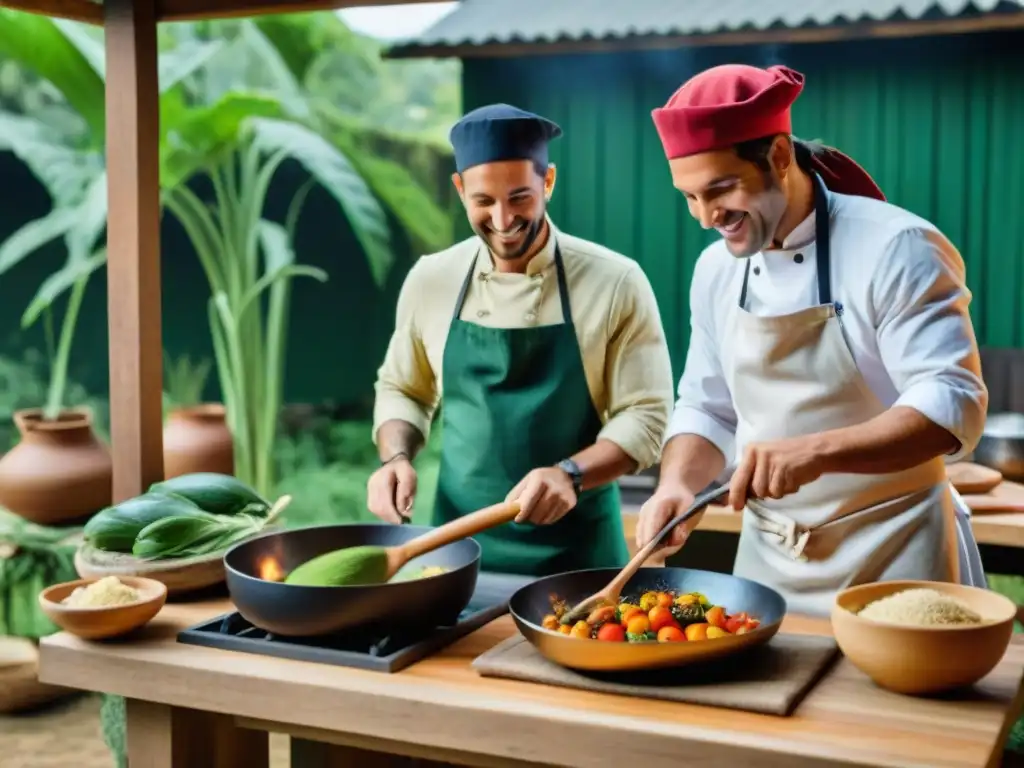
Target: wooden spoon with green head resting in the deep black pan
column 370, row 565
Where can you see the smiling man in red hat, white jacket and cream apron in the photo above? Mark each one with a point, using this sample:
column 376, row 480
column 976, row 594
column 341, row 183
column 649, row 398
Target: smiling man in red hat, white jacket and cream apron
column 832, row 362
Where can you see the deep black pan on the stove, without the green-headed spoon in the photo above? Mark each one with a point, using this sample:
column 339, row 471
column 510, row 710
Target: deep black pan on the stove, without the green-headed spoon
column 308, row 612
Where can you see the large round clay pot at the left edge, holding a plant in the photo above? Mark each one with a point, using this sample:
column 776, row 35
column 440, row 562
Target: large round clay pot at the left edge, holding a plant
column 60, row 473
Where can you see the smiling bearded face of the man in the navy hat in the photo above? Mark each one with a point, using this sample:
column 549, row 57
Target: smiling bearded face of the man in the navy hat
column 505, row 203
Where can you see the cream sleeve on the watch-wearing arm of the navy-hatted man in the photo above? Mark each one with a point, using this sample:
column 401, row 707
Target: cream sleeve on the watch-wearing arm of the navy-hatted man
column 638, row 372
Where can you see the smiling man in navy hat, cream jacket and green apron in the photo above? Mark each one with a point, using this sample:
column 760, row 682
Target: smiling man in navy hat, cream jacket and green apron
column 546, row 354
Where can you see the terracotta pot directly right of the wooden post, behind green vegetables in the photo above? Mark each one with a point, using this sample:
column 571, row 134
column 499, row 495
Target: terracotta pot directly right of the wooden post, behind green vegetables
column 197, row 440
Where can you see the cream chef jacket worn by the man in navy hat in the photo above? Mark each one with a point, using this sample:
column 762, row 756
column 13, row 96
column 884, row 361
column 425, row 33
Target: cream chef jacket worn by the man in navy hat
column 617, row 319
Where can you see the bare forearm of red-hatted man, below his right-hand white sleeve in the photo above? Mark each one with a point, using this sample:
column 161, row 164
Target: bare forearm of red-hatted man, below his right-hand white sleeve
column 899, row 440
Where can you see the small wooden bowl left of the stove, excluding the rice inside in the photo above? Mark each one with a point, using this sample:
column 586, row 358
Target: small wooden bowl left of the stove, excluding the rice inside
column 105, row 622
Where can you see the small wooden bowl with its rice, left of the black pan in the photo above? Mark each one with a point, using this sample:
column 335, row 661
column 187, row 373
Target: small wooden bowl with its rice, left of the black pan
column 103, row 608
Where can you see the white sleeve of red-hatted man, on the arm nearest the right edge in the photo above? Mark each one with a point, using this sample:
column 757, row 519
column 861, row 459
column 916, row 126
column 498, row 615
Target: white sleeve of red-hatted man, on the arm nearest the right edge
column 926, row 338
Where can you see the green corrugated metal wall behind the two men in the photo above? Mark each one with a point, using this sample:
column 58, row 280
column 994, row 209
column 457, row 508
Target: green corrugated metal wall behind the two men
column 940, row 123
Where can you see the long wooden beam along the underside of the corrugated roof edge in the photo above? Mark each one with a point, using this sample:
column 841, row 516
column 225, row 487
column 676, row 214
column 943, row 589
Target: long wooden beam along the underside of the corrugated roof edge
column 870, row 31
